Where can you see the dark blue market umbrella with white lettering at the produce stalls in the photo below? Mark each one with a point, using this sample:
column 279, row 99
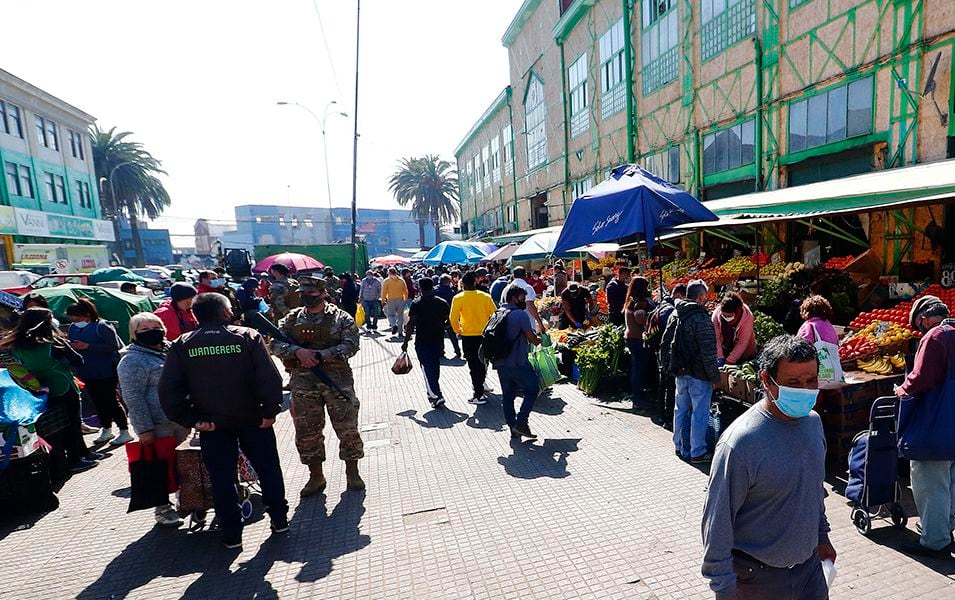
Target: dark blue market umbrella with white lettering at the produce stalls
column 632, row 201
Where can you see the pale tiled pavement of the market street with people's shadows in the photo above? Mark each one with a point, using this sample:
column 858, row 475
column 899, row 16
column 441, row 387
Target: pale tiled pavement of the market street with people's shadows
column 598, row 508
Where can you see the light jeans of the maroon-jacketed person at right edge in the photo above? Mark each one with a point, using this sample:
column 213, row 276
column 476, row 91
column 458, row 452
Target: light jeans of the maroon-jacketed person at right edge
column 933, row 485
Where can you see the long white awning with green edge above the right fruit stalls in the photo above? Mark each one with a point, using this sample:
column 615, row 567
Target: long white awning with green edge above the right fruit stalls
column 887, row 189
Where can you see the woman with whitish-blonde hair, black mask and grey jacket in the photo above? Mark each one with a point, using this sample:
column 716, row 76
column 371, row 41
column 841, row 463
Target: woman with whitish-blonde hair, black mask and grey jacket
column 139, row 371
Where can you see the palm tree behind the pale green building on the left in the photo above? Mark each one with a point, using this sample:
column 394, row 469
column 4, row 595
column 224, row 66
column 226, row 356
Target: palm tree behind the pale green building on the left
column 132, row 172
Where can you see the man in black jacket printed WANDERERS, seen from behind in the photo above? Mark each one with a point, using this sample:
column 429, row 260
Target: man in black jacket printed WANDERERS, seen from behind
column 221, row 380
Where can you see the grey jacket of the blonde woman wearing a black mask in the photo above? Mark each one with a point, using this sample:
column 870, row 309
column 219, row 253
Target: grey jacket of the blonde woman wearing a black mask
column 139, row 370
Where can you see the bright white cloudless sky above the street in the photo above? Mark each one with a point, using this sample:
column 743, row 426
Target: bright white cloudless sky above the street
column 197, row 83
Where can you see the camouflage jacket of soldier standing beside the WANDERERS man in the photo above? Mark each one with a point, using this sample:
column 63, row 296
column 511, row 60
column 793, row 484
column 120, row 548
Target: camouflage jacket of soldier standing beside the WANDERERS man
column 332, row 331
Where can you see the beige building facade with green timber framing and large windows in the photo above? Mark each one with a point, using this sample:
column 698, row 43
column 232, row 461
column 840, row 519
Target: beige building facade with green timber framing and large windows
column 723, row 97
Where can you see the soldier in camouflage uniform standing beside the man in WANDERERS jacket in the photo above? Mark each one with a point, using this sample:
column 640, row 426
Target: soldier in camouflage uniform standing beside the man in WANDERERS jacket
column 327, row 336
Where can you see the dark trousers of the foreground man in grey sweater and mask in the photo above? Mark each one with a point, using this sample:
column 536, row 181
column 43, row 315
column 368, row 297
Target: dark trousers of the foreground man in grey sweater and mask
column 756, row 581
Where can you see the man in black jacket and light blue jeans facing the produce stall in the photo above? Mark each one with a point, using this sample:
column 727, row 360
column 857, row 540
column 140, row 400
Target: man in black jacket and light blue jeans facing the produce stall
column 688, row 350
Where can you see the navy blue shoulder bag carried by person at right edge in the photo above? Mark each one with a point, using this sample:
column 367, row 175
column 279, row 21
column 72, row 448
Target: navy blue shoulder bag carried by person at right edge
column 926, row 422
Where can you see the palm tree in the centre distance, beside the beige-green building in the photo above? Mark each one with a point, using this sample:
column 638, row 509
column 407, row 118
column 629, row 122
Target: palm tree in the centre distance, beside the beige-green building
column 430, row 186
